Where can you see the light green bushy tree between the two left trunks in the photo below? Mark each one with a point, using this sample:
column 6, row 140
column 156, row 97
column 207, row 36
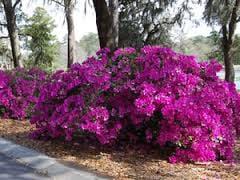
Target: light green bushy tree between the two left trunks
column 40, row 40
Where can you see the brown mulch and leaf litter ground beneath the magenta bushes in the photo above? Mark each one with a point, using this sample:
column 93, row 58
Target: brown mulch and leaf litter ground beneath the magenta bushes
column 124, row 163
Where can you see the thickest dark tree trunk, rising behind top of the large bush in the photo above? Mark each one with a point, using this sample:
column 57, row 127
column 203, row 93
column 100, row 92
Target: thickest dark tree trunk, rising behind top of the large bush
column 107, row 17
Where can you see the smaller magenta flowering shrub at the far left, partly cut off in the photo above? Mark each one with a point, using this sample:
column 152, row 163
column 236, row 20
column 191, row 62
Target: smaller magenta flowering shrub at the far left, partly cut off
column 18, row 92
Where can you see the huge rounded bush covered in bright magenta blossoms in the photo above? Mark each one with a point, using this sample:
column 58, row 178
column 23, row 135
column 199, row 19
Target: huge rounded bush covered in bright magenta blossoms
column 155, row 96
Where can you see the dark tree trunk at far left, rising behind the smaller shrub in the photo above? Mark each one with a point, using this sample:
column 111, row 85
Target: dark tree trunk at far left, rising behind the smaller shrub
column 10, row 8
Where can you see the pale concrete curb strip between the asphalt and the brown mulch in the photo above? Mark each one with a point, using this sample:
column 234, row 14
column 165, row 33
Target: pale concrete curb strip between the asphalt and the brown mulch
column 42, row 163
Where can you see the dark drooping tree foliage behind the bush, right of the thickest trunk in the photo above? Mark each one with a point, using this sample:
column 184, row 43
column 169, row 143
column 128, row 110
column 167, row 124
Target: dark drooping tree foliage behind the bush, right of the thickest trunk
column 144, row 22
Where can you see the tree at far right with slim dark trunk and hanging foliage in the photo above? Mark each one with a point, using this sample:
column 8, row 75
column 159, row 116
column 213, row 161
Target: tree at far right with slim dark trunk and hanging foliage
column 226, row 14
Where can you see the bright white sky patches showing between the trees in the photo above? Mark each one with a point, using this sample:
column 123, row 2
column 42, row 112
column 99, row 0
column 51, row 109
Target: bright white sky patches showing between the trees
column 85, row 23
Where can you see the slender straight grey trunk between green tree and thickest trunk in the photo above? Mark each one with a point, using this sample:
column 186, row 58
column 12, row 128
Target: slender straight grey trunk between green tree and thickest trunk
column 69, row 7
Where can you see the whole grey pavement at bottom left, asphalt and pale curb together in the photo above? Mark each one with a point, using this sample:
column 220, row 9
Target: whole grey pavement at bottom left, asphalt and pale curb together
column 14, row 159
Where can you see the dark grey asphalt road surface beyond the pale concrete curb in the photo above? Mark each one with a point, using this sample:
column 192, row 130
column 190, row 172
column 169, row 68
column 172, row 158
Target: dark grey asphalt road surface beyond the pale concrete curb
column 11, row 170
